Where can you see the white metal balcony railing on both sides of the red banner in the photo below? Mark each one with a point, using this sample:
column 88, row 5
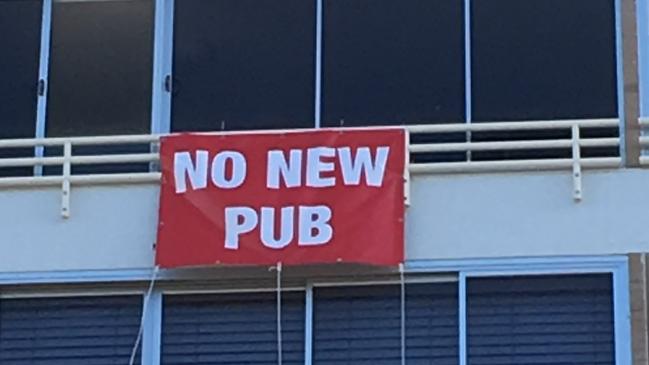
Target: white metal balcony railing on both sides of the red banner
column 570, row 143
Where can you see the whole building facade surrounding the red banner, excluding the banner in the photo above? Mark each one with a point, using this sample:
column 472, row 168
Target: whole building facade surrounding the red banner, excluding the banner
column 526, row 189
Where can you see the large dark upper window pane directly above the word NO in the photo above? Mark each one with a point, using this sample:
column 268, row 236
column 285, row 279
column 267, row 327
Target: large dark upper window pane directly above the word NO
column 243, row 64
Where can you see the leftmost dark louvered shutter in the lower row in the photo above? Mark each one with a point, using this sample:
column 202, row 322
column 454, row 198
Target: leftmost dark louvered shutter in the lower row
column 69, row 331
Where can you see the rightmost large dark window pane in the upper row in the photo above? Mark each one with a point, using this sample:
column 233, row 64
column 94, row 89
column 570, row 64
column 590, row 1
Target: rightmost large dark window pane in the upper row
column 543, row 59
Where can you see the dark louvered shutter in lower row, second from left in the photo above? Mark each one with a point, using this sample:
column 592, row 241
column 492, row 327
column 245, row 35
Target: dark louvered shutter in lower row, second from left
column 232, row 329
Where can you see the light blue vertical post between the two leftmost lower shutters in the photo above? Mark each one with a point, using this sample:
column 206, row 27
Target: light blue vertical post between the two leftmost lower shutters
column 151, row 336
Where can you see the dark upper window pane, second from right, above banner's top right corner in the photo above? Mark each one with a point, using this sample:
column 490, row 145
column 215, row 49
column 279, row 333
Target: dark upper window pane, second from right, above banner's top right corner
column 393, row 62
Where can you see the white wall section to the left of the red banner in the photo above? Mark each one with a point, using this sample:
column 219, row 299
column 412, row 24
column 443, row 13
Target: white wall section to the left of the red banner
column 109, row 228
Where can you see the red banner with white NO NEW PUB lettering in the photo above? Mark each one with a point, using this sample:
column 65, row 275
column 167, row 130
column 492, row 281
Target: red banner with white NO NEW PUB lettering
column 320, row 196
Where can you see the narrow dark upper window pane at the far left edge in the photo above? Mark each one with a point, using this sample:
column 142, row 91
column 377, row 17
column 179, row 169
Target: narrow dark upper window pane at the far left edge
column 20, row 37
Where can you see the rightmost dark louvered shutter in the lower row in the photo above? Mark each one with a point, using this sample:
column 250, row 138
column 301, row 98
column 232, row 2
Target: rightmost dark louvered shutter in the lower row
column 549, row 320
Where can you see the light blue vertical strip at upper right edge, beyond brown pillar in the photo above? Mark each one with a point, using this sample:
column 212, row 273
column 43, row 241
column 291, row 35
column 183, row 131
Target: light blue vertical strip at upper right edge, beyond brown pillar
column 642, row 13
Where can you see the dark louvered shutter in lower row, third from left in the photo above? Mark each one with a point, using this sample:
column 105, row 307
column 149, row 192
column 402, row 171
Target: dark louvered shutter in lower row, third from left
column 362, row 324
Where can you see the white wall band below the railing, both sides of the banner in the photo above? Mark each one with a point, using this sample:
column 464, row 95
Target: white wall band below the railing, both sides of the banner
column 451, row 217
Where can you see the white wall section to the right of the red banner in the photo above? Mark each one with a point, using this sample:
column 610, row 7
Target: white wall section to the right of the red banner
column 528, row 215
